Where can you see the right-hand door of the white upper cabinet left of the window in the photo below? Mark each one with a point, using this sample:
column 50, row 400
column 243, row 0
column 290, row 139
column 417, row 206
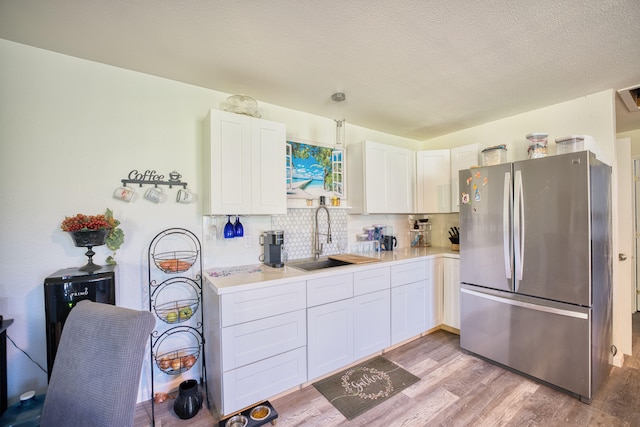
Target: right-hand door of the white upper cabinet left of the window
column 268, row 168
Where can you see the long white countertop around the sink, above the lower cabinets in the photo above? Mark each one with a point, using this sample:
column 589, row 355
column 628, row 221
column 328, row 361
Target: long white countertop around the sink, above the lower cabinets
column 233, row 279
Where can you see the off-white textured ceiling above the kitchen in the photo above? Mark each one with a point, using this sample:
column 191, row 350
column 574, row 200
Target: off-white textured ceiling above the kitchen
column 413, row 68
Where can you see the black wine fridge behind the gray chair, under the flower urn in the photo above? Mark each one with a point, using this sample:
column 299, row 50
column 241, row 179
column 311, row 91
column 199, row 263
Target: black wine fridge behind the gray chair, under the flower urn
column 62, row 291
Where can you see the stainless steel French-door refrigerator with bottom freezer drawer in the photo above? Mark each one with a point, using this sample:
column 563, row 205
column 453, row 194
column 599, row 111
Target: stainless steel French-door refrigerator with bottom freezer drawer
column 535, row 268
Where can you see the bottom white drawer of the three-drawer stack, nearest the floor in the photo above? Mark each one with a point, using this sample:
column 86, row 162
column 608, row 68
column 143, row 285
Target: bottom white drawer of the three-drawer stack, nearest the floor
column 261, row 380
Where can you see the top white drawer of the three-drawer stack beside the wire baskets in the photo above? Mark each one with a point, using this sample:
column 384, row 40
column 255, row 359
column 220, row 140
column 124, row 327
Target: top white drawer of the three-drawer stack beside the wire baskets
column 256, row 304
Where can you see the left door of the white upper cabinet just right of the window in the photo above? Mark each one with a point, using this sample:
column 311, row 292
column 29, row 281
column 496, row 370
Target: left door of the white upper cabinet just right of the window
column 376, row 177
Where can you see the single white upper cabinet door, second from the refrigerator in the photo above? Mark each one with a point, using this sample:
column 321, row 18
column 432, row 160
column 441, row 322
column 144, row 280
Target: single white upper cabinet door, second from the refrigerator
column 433, row 180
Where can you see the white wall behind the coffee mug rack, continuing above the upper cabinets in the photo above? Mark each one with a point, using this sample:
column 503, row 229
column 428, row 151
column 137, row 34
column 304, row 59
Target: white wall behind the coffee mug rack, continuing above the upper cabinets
column 70, row 130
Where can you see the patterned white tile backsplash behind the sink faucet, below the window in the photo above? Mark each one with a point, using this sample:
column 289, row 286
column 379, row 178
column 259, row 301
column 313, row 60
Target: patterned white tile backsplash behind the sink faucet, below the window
column 299, row 228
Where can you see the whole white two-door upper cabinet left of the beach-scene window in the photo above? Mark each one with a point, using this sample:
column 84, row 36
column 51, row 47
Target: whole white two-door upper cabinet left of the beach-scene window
column 244, row 165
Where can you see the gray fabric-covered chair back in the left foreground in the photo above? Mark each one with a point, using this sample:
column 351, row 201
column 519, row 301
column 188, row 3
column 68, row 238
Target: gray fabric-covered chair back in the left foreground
column 96, row 372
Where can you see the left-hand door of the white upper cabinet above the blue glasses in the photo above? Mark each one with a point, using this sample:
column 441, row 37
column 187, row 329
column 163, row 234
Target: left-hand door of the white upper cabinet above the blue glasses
column 227, row 180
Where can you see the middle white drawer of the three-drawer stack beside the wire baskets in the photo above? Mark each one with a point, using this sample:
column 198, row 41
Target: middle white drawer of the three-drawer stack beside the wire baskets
column 253, row 341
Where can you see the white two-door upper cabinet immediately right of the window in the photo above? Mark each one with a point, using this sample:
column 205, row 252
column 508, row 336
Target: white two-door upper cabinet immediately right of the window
column 381, row 178
